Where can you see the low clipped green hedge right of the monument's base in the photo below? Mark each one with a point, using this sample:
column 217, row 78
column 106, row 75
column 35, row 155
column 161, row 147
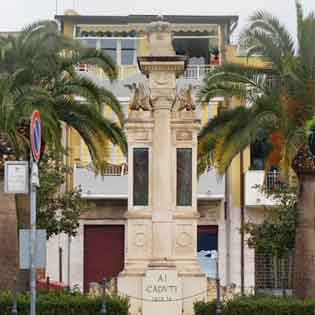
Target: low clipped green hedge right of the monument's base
column 259, row 306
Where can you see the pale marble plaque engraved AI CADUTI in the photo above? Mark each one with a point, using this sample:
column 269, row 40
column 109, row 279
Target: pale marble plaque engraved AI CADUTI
column 162, row 292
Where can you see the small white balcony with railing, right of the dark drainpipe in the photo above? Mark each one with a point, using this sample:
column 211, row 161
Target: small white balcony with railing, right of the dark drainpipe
column 254, row 182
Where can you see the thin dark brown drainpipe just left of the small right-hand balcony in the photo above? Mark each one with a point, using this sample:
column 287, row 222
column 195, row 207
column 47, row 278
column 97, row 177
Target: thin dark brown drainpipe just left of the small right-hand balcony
column 242, row 201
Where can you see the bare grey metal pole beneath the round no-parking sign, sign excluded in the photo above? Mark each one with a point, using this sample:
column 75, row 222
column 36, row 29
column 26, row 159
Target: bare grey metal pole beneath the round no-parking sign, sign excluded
column 34, row 179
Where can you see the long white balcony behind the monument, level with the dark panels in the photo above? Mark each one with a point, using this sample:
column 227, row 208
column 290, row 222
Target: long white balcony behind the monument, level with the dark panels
column 114, row 183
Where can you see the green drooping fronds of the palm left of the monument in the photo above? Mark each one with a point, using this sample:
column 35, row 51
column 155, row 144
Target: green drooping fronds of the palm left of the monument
column 44, row 62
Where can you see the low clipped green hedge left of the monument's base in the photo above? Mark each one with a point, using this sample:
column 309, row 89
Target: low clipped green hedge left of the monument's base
column 64, row 303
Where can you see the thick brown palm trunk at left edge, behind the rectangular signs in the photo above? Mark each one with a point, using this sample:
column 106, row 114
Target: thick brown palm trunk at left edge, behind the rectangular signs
column 8, row 239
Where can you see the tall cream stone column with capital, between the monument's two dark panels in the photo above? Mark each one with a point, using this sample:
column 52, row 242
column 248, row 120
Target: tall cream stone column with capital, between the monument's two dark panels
column 162, row 165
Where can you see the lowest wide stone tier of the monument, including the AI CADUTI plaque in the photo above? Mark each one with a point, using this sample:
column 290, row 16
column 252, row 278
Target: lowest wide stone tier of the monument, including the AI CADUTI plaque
column 162, row 291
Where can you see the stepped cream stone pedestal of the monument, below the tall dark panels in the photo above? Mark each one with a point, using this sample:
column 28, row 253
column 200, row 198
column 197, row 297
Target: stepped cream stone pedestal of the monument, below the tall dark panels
column 157, row 286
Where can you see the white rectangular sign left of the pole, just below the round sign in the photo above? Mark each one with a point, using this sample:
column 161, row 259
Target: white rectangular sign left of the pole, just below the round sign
column 16, row 177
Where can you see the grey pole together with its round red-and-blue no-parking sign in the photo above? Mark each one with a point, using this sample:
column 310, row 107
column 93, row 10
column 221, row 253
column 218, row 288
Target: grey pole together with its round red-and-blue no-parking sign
column 35, row 137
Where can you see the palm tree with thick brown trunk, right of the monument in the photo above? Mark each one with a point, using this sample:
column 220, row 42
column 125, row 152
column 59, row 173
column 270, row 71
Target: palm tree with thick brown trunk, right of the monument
column 279, row 101
